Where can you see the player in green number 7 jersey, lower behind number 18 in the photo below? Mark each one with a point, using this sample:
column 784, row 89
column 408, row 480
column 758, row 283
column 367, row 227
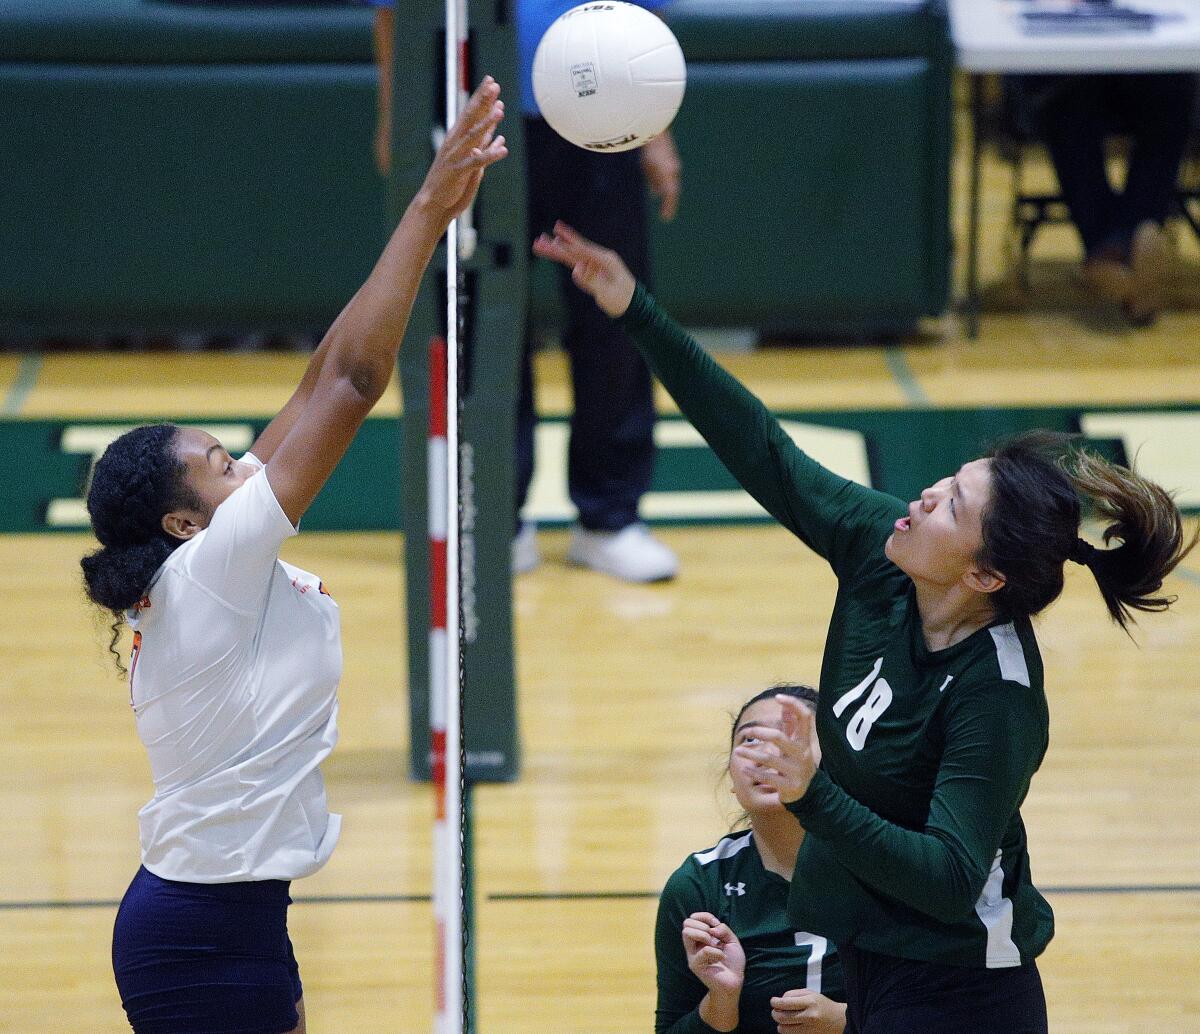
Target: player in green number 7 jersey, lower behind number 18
column 729, row 958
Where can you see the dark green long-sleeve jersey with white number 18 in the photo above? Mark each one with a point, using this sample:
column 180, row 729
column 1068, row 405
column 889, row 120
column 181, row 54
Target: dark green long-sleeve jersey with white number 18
column 916, row 846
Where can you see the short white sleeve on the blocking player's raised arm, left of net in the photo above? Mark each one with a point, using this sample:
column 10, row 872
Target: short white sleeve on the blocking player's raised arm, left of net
column 235, row 557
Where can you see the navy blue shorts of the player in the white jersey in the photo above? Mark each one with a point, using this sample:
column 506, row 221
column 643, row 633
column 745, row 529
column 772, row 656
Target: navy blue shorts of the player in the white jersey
column 206, row 959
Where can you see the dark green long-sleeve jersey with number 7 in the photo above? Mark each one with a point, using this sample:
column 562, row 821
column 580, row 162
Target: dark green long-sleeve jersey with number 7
column 730, row 882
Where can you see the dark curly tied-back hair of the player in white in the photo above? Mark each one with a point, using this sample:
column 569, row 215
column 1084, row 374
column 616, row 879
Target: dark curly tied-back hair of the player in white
column 137, row 480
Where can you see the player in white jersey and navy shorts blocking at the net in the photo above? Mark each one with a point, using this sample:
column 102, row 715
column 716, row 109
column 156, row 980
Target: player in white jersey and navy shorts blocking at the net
column 237, row 656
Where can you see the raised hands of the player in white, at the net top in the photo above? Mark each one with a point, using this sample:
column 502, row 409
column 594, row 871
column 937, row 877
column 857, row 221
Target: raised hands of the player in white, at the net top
column 471, row 146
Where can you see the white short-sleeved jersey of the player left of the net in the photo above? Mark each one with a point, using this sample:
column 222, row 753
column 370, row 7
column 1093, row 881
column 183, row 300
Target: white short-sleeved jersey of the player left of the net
column 233, row 682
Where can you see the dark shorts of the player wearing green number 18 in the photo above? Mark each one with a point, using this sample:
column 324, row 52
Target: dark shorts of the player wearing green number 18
column 899, row 996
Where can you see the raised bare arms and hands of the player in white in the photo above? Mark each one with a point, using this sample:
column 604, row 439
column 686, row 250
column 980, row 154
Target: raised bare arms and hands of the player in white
column 350, row 372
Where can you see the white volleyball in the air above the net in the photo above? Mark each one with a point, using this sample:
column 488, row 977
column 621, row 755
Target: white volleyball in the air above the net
column 609, row 76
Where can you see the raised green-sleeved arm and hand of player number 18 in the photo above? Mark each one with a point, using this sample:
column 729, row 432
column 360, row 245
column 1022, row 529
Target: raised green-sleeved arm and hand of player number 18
column 831, row 514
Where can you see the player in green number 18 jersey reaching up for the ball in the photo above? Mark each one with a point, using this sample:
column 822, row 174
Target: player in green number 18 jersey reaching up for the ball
column 933, row 716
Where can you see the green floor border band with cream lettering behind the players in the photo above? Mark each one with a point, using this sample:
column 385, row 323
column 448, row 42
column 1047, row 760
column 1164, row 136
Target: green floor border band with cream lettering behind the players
column 901, row 450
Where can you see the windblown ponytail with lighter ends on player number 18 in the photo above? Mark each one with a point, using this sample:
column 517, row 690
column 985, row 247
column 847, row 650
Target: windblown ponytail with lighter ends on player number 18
column 1145, row 520
